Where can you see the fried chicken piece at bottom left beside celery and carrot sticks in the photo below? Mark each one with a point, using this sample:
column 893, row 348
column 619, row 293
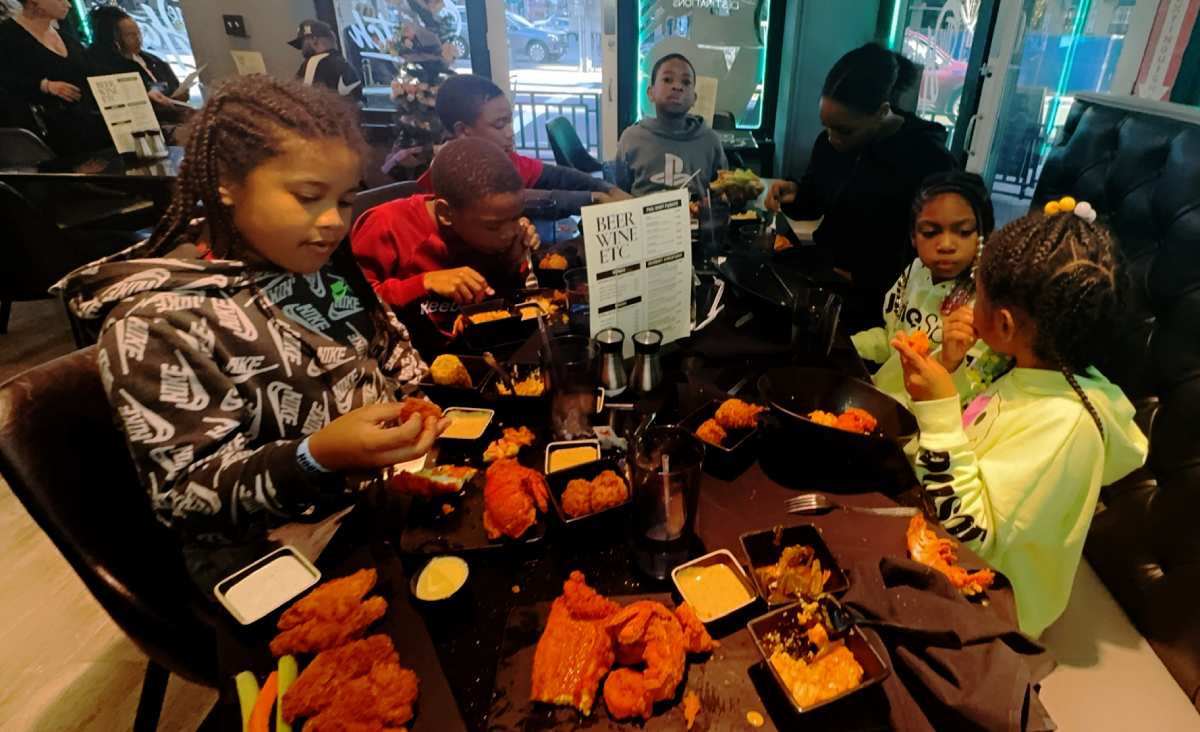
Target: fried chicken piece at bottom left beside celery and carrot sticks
column 320, row 683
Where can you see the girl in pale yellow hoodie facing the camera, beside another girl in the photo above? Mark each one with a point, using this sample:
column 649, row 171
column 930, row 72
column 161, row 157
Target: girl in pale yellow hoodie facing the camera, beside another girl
column 951, row 218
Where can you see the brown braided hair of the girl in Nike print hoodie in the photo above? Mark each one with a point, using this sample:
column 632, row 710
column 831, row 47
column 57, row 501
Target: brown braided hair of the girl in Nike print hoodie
column 247, row 123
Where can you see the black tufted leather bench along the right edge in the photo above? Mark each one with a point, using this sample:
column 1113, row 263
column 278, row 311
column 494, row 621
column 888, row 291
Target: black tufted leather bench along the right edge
column 1138, row 163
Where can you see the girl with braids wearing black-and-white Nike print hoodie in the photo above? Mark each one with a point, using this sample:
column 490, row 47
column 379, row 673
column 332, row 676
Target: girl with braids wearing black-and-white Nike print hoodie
column 247, row 358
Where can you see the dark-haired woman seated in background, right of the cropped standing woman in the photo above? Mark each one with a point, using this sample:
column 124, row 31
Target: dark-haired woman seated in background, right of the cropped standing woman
column 117, row 49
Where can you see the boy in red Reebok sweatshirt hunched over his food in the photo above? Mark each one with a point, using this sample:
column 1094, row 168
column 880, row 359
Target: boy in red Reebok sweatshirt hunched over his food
column 429, row 254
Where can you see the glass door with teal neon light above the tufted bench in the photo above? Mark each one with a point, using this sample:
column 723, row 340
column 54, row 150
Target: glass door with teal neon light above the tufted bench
column 1052, row 51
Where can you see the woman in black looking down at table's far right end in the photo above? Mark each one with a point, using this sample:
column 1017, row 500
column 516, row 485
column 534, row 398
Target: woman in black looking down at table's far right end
column 863, row 175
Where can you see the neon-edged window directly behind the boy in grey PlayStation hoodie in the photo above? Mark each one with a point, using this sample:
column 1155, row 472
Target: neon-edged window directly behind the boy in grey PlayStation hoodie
column 725, row 40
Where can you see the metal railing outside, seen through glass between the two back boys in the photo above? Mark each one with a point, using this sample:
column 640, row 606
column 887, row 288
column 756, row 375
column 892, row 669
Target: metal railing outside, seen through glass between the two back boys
column 536, row 106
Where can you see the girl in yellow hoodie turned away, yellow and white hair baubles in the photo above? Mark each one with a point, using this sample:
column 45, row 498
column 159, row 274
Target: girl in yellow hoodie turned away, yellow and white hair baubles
column 1018, row 473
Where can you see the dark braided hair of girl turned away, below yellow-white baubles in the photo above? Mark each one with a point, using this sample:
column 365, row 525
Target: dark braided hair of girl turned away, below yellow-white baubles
column 1060, row 269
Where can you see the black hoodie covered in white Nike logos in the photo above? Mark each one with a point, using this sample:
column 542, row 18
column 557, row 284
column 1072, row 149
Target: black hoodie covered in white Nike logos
column 217, row 371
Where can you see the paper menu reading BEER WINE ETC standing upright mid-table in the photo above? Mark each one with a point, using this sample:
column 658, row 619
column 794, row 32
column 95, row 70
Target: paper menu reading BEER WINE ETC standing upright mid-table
column 639, row 256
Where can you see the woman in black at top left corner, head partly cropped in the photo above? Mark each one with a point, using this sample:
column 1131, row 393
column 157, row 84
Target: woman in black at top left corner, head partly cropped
column 51, row 70
